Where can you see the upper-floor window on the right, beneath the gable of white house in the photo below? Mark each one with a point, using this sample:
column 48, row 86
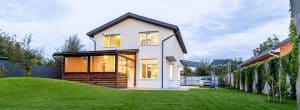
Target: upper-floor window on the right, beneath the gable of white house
column 148, row 38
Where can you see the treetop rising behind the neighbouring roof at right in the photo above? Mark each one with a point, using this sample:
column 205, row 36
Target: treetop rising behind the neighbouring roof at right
column 266, row 45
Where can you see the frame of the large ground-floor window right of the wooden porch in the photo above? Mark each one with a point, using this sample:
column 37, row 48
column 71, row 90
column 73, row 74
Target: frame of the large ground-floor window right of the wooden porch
column 141, row 70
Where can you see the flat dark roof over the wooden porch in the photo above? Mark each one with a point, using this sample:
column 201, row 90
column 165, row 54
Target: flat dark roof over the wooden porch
column 87, row 53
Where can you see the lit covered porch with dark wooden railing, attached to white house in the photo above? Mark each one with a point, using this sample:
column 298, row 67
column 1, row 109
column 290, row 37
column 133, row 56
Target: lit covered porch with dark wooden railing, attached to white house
column 110, row 68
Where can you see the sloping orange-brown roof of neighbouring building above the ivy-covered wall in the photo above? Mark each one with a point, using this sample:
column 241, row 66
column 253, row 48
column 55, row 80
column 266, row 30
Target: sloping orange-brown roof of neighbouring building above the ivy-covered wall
column 264, row 54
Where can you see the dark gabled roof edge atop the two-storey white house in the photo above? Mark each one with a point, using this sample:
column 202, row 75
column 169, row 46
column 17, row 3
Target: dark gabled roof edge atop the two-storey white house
column 144, row 19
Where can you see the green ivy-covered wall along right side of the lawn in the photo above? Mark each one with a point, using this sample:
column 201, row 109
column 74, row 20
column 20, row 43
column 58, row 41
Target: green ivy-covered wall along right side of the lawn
column 269, row 71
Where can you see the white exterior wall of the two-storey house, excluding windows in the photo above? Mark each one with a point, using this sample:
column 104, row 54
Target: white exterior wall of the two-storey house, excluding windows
column 129, row 31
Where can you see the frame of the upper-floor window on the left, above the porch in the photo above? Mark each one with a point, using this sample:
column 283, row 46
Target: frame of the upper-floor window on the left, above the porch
column 110, row 36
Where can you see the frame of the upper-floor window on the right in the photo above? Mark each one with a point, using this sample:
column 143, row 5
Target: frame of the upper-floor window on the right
column 146, row 36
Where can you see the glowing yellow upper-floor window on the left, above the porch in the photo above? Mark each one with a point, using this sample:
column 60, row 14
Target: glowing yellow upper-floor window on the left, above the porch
column 112, row 40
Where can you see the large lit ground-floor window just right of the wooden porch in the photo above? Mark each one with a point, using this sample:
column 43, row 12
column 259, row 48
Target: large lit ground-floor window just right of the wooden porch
column 149, row 69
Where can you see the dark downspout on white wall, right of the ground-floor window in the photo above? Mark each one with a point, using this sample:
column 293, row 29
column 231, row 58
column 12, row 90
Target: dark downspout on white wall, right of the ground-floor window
column 162, row 58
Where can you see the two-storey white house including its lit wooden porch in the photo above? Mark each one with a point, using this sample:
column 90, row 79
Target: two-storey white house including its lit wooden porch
column 131, row 51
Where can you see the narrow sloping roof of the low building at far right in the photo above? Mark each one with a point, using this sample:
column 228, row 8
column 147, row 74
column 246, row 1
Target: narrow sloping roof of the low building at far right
column 263, row 53
